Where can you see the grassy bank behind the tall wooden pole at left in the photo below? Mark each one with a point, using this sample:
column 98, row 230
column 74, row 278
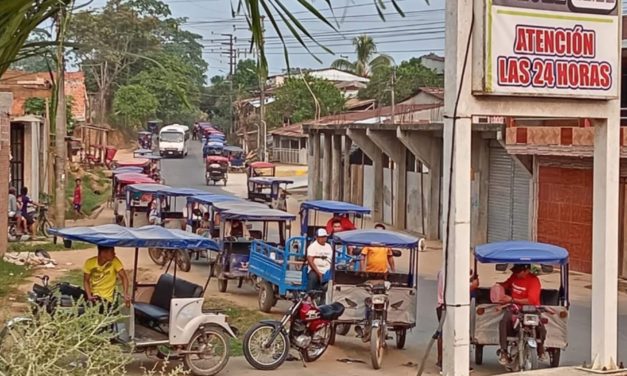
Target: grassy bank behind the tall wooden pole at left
column 96, row 190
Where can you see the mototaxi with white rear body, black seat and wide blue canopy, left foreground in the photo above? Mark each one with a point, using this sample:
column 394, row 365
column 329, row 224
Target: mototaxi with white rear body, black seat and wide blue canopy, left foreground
column 165, row 318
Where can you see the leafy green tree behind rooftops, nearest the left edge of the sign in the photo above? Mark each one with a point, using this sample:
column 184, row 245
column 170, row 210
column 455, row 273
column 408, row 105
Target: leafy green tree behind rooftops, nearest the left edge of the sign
column 410, row 75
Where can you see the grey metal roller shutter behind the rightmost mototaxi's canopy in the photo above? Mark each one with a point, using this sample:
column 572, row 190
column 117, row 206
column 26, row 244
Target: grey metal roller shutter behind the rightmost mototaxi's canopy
column 508, row 197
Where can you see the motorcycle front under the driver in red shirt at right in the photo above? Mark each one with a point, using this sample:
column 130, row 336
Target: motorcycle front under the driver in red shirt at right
column 523, row 348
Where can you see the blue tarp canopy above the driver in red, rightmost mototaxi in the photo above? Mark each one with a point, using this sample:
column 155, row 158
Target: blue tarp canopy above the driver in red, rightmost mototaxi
column 521, row 252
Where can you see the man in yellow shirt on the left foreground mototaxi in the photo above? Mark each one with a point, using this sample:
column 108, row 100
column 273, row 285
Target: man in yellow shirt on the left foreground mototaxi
column 100, row 274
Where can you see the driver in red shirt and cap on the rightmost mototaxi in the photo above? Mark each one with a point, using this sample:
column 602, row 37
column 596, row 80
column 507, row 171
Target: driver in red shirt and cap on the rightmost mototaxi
column 523, row 288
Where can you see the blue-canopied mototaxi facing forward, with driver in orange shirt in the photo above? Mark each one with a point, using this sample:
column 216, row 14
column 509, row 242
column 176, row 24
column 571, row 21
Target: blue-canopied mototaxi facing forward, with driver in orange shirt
column 376, row 302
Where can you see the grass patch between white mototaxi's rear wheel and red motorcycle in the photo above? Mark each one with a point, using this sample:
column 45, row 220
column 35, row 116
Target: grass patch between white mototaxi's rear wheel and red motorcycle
column 239, row 317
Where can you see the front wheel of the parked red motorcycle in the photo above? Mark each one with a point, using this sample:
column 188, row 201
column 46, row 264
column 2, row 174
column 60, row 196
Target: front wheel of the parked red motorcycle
column 263, row 355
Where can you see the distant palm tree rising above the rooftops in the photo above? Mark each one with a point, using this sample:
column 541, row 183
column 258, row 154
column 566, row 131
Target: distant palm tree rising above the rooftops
column 366, row 61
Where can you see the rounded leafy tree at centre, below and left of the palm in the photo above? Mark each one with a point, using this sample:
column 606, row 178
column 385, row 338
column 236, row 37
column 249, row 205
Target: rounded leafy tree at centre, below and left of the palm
column 294, row 100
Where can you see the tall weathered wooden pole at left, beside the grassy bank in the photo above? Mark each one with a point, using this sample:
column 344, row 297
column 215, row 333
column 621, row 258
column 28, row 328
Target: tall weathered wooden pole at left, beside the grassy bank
column 60, row 123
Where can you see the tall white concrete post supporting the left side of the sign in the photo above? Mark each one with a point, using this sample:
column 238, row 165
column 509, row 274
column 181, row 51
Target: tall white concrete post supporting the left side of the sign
column 456, row 226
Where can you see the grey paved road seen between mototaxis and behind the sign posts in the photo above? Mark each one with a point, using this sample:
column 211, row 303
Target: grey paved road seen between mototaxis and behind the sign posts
column 189, row 172
